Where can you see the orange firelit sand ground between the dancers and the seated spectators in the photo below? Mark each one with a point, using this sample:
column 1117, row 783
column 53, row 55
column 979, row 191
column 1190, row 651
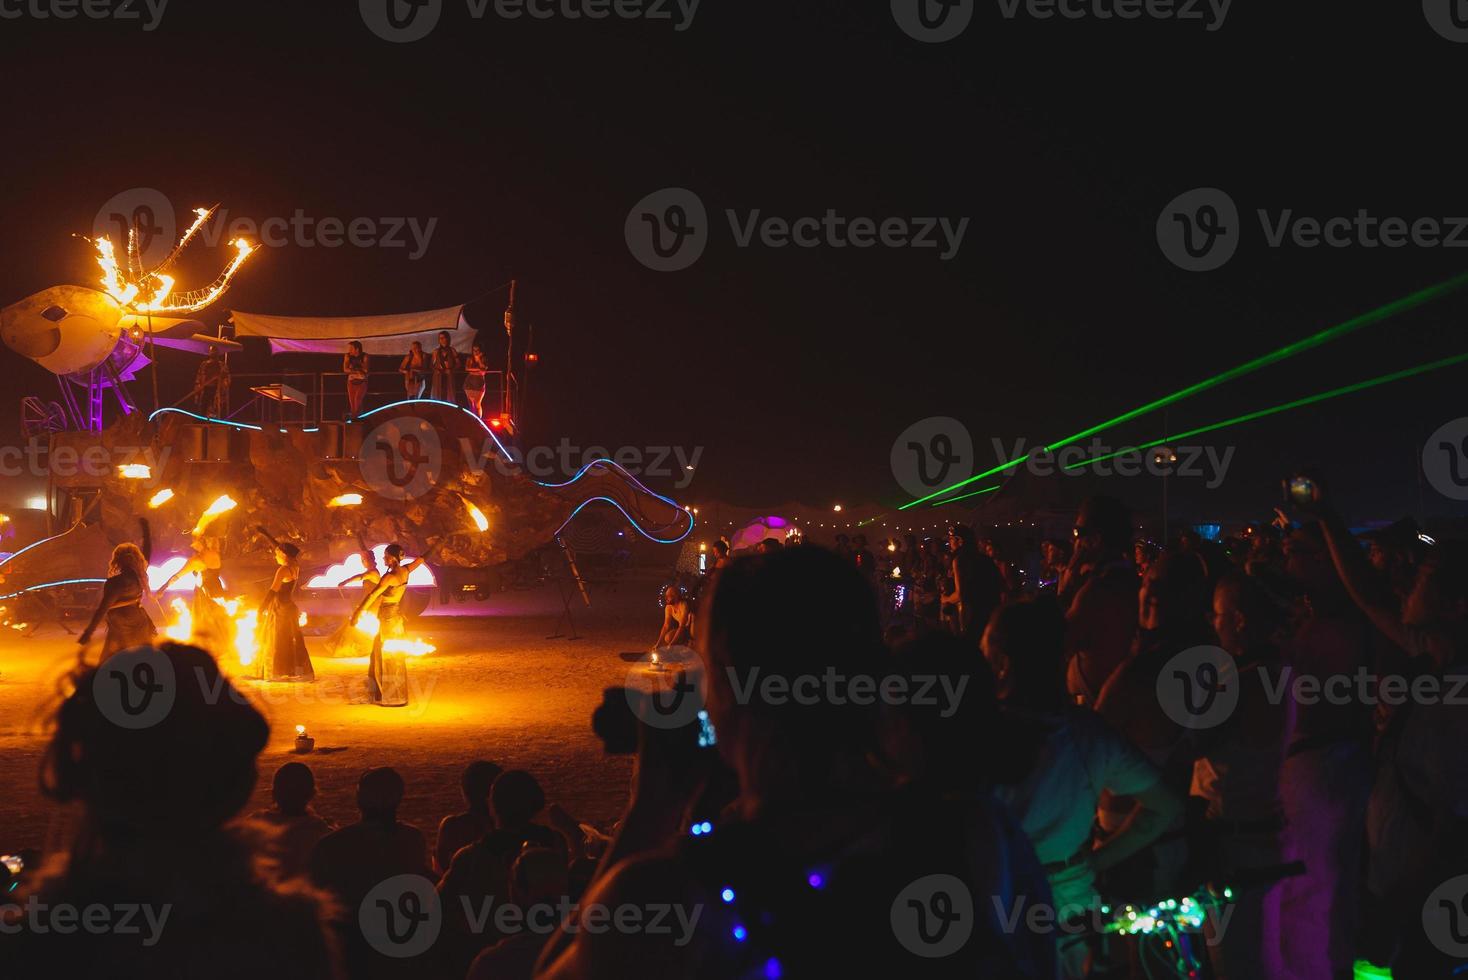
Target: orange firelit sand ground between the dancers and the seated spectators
column 495, row 689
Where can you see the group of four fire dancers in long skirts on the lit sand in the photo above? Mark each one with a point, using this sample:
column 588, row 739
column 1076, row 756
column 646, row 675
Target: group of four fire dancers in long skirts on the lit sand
column 281, row 645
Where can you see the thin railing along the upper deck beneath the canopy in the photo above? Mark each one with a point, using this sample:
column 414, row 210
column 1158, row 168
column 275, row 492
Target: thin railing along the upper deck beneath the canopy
column 325, row 395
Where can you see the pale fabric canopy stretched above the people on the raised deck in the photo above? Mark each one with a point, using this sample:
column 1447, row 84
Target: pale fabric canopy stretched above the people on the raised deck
column 379, row 335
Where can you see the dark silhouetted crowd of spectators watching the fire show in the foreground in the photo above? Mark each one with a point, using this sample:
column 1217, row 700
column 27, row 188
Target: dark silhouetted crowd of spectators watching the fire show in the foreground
column 793, row 828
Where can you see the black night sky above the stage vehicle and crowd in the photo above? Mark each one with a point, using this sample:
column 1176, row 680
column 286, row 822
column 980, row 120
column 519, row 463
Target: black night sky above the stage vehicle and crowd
column 1062, row 142
